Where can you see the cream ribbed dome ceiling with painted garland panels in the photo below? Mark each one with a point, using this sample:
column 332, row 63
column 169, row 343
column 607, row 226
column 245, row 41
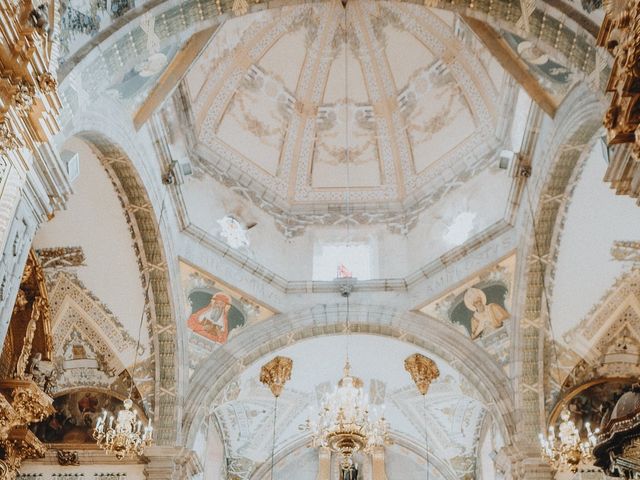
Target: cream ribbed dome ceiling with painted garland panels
column 269, row 100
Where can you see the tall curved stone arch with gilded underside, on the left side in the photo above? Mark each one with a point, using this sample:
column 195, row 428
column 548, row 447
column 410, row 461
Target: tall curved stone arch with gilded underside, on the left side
column 151, row 241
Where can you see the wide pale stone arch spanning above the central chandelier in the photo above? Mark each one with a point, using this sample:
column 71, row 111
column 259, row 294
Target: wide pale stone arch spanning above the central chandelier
column 250, row 346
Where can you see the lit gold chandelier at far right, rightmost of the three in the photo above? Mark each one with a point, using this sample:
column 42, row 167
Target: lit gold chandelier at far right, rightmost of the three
column 567, row 450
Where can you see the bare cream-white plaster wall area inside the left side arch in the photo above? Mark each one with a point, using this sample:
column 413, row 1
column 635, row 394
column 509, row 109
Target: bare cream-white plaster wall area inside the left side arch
column 95, row 221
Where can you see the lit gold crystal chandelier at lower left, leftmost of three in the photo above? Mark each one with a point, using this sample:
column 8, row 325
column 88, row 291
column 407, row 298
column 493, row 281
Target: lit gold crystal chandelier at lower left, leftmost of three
column 123, row 435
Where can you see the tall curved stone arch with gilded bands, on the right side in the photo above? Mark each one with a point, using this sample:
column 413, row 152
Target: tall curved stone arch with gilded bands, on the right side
column 579, row 120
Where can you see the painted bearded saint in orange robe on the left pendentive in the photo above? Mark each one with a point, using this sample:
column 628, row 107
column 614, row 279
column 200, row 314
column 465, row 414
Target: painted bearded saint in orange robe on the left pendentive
column 213, row 315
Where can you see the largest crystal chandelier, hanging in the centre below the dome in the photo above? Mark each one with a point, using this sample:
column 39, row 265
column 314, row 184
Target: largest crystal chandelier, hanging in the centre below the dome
column 346, row 423
